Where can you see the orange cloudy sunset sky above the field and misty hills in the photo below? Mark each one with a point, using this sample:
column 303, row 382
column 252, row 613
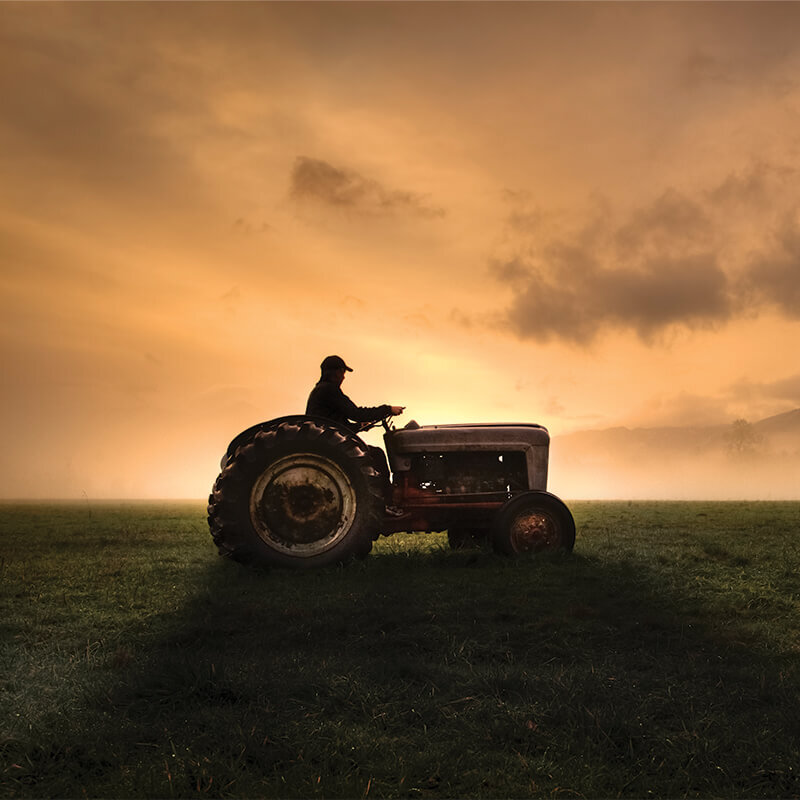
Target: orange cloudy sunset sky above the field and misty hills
column 585, row 215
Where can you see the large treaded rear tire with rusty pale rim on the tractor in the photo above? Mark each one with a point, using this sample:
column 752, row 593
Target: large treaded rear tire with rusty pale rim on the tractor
column 299, row 494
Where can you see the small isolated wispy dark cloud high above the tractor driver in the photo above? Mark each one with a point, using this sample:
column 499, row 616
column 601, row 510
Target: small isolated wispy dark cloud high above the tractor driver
column 314, row 180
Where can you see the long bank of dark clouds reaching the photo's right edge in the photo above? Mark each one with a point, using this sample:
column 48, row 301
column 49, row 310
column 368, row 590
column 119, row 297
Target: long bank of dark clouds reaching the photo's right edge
column 693, row 260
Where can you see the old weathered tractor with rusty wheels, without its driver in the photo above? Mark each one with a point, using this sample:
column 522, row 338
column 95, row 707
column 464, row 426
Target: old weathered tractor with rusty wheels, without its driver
column 303, row 492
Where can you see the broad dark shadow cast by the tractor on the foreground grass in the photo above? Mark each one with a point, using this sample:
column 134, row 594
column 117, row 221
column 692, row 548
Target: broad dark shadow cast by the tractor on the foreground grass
column 456, row 674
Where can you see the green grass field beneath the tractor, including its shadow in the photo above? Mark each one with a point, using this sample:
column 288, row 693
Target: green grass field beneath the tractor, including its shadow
column 661, row 659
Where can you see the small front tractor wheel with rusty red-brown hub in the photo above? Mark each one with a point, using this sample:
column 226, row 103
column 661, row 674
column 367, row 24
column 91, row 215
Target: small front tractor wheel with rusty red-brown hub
column 533, row 522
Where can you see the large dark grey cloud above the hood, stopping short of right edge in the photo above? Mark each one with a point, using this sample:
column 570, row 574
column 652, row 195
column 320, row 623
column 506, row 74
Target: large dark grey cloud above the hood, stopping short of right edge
column 655, row 270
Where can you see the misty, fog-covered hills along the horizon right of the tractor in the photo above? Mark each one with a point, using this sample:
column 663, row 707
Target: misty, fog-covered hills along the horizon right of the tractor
column 737, row 461
